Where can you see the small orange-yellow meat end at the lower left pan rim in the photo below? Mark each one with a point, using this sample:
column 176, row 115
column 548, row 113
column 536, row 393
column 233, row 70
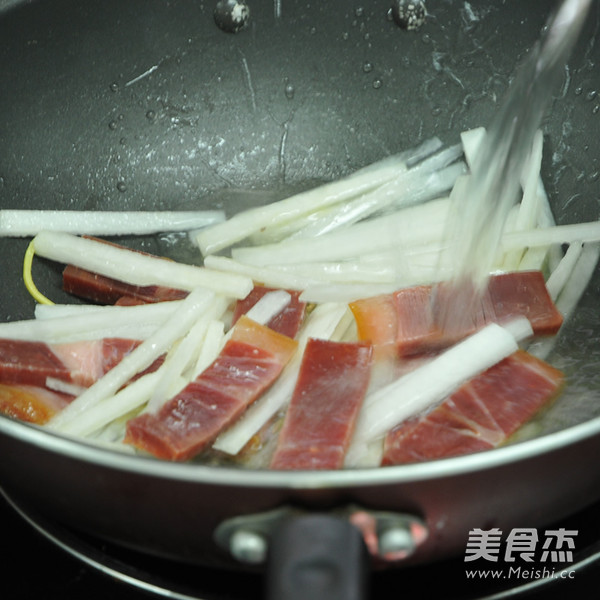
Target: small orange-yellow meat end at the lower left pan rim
column 31, row 404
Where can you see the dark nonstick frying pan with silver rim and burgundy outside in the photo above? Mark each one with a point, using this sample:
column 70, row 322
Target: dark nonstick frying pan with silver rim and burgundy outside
column 142, row 104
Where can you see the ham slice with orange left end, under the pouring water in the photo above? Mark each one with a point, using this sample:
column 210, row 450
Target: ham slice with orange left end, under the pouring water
column 406, row 322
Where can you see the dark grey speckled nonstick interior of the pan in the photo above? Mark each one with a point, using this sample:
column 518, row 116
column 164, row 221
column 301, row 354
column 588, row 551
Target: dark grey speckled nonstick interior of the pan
column 144, row 104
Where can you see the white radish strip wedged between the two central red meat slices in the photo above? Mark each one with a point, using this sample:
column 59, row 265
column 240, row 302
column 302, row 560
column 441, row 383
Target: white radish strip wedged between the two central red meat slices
column 321, row 323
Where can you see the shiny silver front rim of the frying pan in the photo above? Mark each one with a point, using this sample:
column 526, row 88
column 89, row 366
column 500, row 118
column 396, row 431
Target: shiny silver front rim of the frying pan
column 81, row 451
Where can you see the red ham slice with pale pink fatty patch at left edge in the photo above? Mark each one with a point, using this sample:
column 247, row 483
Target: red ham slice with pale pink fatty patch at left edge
column 81, row 363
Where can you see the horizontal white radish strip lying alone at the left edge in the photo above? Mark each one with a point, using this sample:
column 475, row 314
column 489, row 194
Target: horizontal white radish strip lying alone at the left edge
column 23, row 223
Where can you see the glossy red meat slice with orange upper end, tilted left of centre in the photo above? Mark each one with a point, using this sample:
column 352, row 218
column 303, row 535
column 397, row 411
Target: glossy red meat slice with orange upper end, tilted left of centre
column 250, row 361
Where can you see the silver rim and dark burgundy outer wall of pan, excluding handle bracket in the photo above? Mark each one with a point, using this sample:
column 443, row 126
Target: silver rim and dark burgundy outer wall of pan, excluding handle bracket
column 173, row 510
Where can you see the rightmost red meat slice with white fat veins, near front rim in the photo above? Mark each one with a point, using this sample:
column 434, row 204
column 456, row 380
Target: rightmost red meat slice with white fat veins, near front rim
column 480, row 415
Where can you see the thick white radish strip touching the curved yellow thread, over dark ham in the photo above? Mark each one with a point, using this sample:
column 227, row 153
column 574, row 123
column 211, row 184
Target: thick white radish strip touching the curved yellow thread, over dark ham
column 134, row 267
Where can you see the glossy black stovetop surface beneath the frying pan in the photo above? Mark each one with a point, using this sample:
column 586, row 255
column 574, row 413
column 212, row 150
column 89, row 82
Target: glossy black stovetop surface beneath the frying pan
column 74, row 565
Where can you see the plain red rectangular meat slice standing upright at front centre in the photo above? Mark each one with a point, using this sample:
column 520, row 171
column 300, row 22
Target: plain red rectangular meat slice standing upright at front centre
column 320, row 420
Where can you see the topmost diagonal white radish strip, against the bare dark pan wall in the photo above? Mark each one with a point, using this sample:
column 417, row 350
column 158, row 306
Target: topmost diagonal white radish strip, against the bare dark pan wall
column 244, row 224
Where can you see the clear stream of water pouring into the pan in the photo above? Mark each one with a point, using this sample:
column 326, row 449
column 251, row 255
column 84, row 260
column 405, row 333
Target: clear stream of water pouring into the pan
column 482, row 201
